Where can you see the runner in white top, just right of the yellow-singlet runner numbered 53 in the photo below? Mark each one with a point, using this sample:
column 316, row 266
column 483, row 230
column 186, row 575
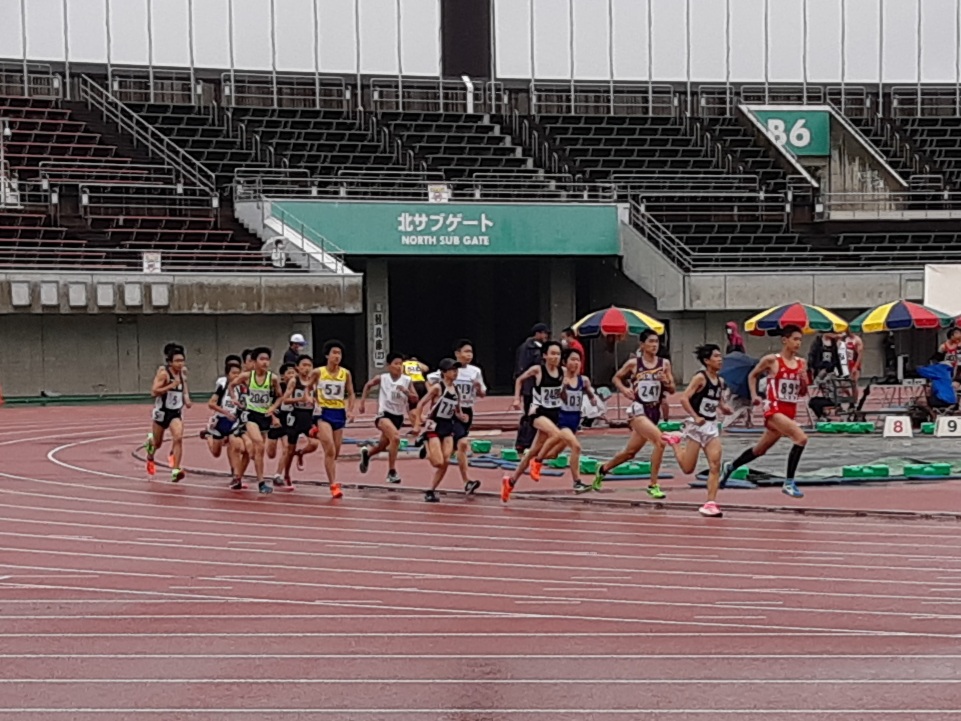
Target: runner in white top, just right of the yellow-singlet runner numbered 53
column 393, row 401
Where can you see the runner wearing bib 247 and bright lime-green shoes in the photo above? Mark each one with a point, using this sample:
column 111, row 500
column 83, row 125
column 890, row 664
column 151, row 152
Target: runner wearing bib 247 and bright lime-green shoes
column 650, row 377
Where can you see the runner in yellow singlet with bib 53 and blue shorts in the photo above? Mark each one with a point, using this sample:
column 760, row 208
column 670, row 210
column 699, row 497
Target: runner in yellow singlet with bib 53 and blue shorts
column 335, row 407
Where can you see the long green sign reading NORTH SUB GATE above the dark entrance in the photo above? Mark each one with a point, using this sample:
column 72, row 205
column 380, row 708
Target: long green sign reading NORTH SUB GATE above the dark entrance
column 365, row 228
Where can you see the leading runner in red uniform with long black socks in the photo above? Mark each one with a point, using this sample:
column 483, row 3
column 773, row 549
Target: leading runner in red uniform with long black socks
column 786, row 383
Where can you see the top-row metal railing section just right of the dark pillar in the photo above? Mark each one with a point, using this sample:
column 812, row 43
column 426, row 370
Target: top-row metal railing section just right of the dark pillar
column 548, row 98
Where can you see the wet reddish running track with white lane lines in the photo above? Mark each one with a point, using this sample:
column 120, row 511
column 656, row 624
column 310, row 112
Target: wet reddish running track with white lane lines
column 125, row 599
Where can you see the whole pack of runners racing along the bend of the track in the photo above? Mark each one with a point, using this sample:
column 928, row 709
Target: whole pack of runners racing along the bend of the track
column 261, row 415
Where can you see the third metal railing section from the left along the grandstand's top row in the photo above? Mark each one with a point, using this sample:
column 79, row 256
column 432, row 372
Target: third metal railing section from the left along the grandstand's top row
column 271, row 90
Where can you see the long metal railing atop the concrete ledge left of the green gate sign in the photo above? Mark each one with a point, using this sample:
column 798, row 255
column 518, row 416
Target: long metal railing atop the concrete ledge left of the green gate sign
column 77, row 256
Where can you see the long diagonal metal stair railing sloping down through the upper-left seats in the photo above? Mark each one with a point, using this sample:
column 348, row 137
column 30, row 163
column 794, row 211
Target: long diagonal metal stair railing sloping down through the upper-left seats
column 155, row 142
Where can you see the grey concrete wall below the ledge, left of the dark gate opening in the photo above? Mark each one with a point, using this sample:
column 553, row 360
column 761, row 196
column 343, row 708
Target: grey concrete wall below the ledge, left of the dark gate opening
column 93, row 354
